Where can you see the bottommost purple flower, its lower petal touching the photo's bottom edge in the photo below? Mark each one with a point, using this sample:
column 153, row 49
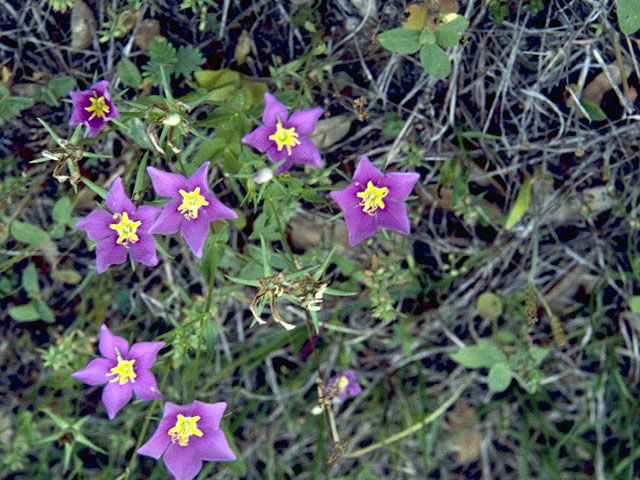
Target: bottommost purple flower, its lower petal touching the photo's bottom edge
column 187, row 435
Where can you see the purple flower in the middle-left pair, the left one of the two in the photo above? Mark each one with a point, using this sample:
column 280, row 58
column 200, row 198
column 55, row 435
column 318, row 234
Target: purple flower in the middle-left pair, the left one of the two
column 126, row 229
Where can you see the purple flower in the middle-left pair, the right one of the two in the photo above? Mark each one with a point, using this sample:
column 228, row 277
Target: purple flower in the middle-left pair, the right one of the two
column 192, row 210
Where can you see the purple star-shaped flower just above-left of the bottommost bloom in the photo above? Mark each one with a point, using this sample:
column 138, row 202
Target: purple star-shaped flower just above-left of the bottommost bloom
column 123, row 369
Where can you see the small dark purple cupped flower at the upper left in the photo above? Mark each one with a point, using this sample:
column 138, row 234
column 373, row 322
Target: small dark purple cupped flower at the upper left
column 93, row 107
